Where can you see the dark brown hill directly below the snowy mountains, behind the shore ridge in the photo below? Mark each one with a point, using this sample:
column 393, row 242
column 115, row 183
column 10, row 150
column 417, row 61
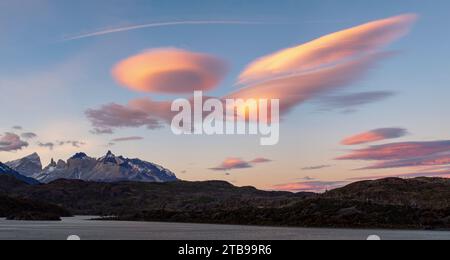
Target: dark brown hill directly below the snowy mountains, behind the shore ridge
column 91, row 198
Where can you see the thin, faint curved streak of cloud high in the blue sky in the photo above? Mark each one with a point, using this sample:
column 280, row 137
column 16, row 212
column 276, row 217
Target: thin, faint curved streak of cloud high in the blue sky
column 155, row 25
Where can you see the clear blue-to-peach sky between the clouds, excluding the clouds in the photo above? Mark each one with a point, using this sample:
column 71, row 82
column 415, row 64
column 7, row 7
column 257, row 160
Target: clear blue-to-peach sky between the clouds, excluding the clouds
column 48, row 83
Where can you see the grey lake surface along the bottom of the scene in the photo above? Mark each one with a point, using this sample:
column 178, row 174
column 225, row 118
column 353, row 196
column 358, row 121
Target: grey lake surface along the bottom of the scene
column 111, row 230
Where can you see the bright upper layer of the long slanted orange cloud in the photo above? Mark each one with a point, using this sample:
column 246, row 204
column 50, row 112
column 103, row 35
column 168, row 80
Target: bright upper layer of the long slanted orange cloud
column 329, row 50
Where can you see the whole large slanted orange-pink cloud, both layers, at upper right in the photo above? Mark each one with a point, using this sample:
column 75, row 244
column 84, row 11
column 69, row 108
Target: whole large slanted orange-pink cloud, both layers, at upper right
column 337, row 60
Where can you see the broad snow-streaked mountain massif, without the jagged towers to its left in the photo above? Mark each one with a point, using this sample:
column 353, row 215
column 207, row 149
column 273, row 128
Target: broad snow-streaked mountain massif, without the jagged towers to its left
column 109, row 168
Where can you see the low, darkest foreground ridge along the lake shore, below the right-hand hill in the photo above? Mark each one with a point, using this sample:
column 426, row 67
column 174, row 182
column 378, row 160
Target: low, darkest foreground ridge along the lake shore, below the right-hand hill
column 312, row 212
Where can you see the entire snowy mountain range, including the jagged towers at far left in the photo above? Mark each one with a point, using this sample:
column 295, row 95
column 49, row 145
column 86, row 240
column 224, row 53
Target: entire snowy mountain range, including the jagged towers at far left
column 109, row 168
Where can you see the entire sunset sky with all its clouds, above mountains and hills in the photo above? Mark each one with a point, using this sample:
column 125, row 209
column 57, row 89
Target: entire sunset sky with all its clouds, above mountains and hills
column 363, row 85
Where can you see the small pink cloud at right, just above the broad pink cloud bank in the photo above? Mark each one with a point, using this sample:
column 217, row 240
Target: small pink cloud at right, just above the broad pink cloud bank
column 375, row 135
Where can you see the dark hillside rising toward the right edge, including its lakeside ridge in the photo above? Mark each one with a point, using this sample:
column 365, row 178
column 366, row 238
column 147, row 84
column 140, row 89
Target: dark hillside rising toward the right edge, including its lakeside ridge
column 420, row 203
